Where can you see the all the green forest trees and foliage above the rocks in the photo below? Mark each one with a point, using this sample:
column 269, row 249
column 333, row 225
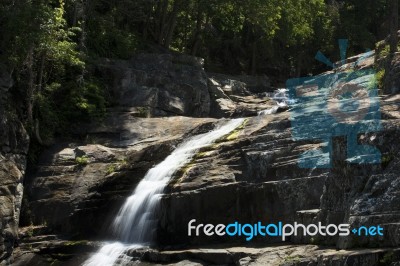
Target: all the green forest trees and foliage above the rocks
column 50, row 44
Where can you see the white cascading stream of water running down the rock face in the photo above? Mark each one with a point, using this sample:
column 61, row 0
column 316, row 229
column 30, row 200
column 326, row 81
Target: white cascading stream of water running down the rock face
column 136, row 221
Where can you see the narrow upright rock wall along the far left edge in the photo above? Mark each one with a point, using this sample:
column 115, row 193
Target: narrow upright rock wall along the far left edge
column 14, row 144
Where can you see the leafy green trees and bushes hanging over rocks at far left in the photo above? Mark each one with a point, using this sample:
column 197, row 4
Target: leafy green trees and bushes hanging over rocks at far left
column 50, row 68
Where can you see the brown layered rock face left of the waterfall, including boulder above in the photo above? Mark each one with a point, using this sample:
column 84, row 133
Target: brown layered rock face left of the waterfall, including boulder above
column 75, row 183
